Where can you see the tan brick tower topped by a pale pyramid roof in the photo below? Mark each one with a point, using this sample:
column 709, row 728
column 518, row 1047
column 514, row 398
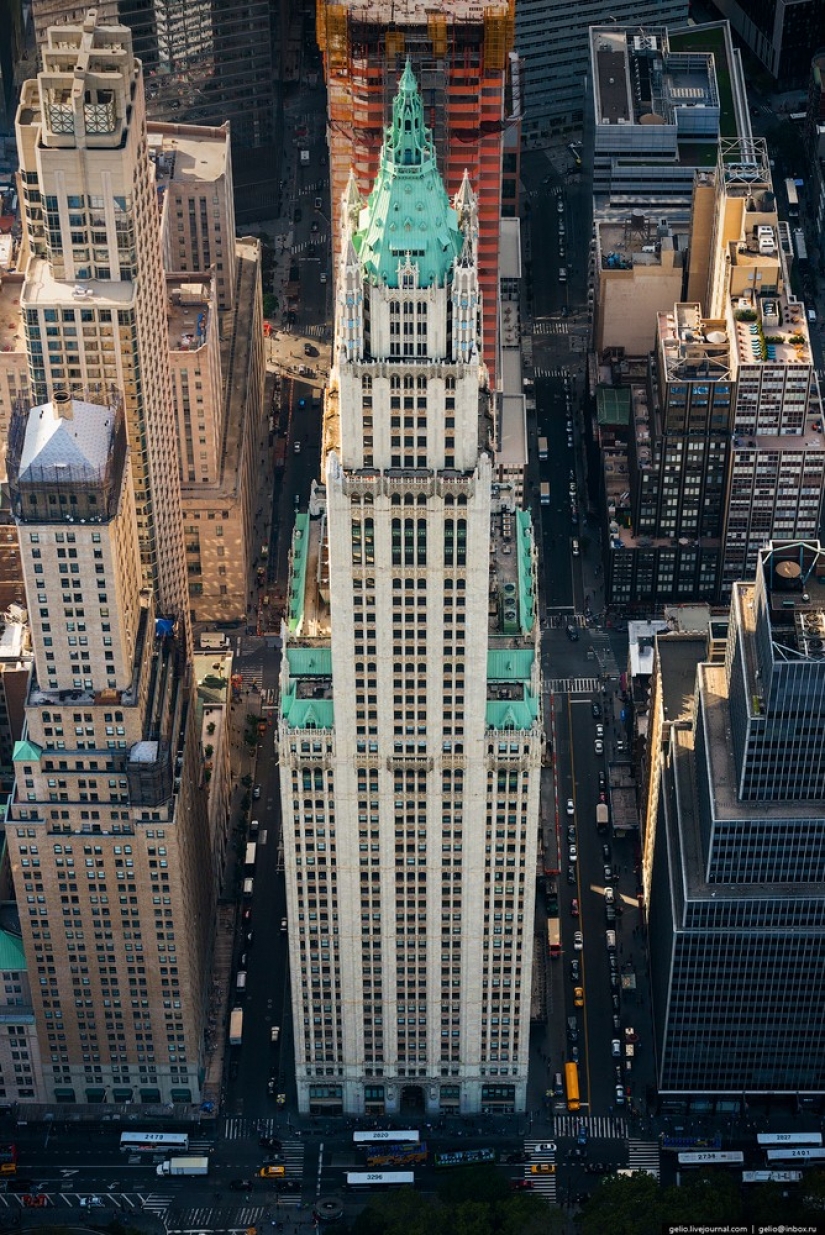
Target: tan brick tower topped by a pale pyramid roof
column 106, row 831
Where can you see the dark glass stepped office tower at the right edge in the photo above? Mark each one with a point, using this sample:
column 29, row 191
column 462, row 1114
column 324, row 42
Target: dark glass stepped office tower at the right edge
column 735, row 849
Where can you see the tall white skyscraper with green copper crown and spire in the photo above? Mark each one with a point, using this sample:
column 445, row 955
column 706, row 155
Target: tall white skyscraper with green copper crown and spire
column 411, row 733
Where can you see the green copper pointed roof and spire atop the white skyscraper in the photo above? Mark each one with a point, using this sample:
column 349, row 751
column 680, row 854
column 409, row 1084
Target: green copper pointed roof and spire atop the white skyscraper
column 408, row 218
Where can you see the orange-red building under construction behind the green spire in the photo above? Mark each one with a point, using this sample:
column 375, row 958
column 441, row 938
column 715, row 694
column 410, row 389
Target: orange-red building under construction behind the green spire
column 463, row 57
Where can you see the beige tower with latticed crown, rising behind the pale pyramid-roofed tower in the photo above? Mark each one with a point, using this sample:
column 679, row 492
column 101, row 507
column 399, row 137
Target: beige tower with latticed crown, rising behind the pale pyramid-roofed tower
column 92, row 225
